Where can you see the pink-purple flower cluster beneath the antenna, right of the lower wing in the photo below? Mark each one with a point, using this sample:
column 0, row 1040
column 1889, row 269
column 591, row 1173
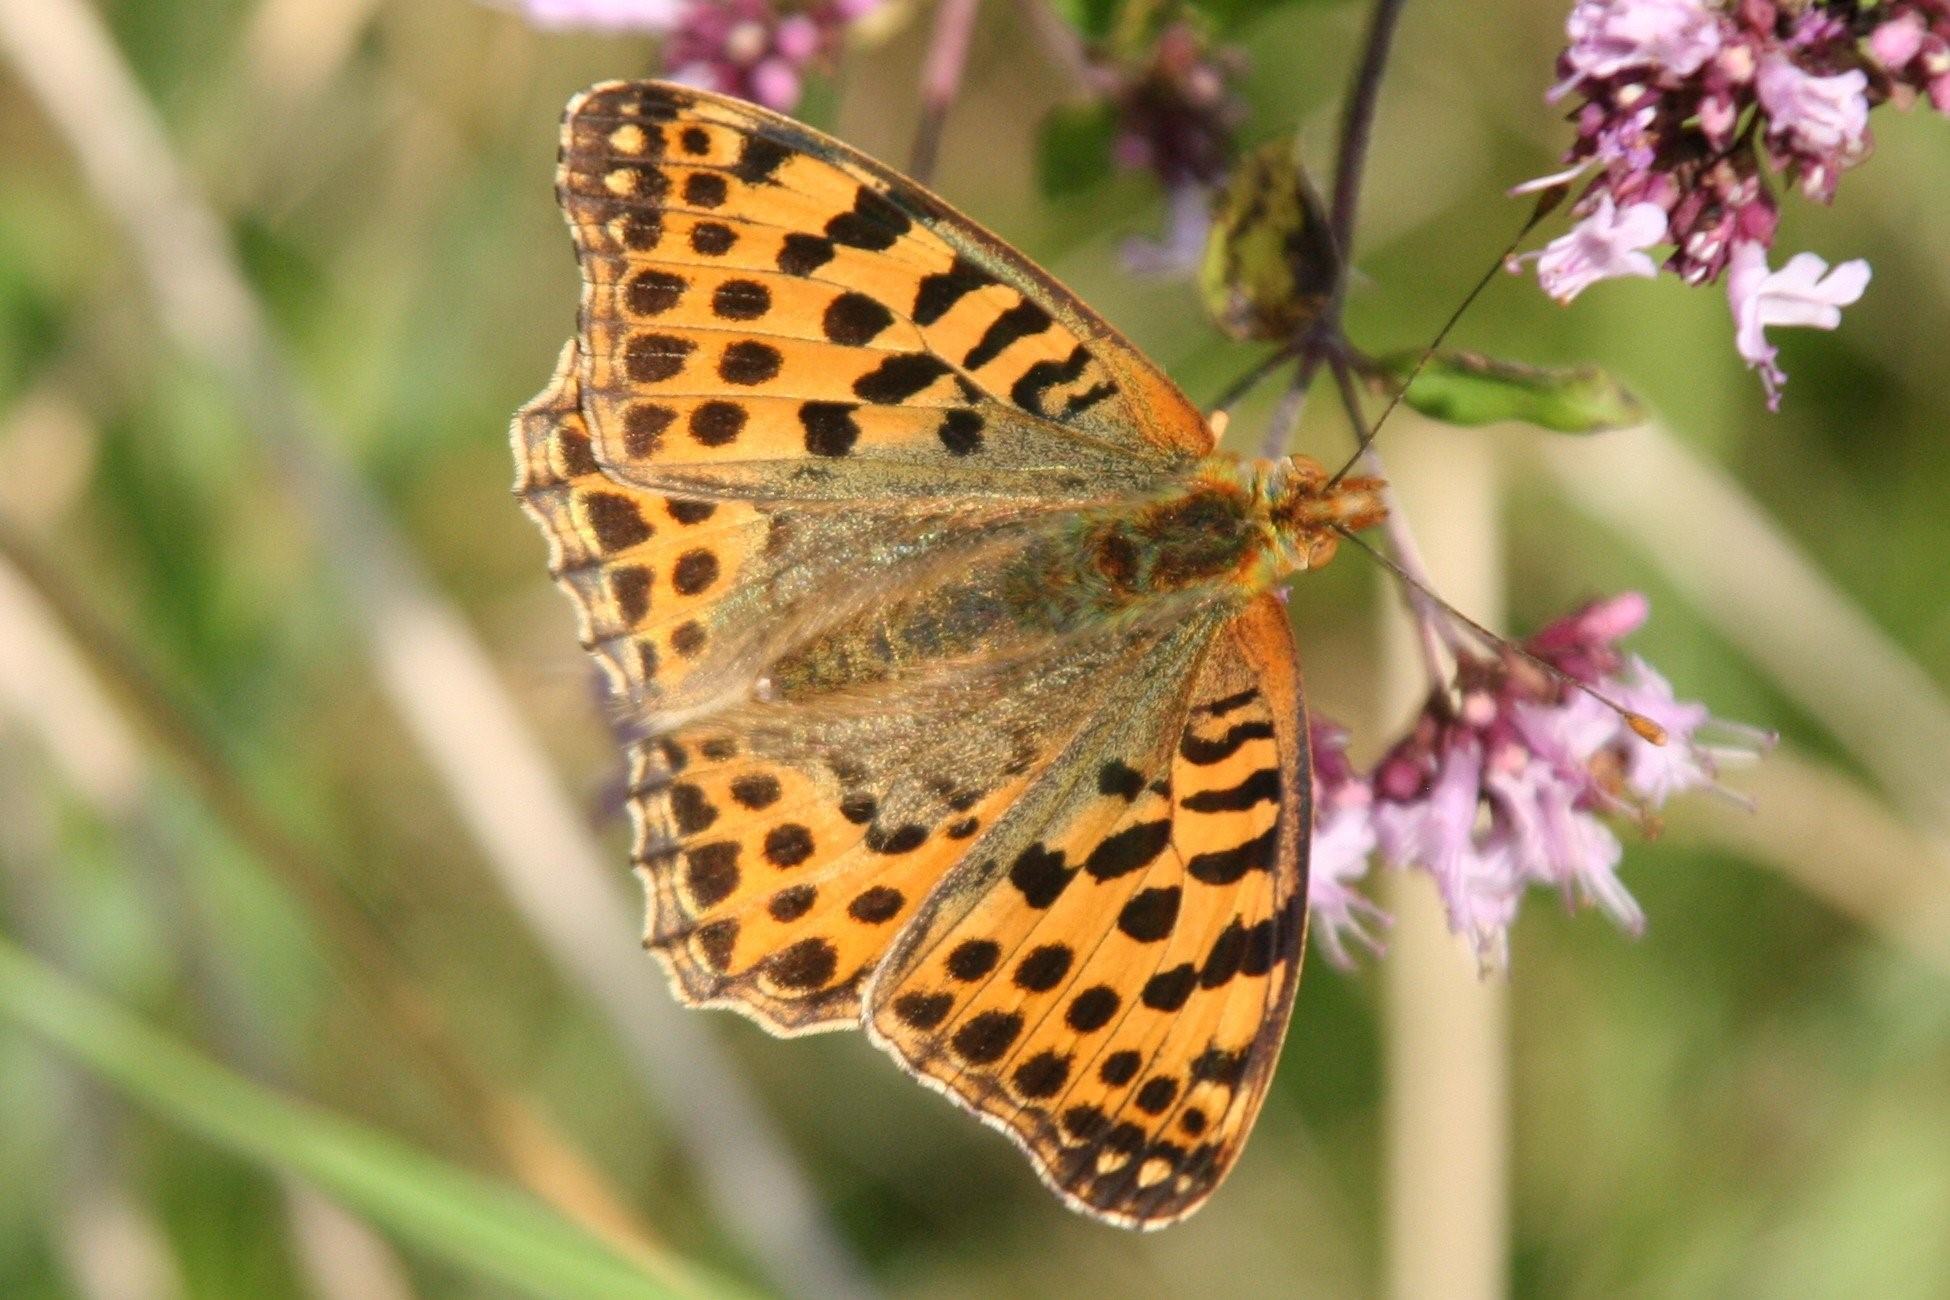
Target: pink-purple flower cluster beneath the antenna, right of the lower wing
column 1506, row 783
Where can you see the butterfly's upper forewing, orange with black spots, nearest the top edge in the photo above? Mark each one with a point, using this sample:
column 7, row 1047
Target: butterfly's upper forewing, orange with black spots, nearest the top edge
column 758, row 293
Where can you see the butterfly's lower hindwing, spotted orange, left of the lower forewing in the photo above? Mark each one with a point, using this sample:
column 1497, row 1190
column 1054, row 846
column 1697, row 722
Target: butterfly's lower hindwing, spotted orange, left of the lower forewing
column 787, row 847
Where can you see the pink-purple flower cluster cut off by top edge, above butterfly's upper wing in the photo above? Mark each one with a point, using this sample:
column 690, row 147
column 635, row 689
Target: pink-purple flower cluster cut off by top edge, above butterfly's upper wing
column 756, row 50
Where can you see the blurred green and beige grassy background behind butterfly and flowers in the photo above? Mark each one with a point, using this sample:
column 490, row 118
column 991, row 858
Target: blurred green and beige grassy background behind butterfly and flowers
column 243, row 835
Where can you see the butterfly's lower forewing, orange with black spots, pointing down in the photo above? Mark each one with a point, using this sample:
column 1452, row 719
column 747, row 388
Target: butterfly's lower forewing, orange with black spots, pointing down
column 1112, row 985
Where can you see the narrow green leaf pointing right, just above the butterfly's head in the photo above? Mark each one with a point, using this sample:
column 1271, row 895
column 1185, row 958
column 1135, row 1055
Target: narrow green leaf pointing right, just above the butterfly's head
column 1467, row 389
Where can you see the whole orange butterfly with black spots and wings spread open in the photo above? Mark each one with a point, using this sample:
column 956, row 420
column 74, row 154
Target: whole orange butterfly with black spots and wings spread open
column 958, row 705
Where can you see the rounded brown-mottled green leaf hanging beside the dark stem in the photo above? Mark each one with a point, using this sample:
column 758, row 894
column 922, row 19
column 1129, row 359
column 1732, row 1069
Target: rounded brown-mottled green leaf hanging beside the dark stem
column 1270, row 264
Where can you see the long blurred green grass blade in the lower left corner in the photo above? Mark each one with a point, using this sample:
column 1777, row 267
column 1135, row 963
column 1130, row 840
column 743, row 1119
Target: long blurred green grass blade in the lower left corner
column 451, row 1213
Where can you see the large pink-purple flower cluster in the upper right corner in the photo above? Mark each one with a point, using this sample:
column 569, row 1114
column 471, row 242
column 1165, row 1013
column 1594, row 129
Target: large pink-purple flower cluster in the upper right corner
column 1686, row 106
